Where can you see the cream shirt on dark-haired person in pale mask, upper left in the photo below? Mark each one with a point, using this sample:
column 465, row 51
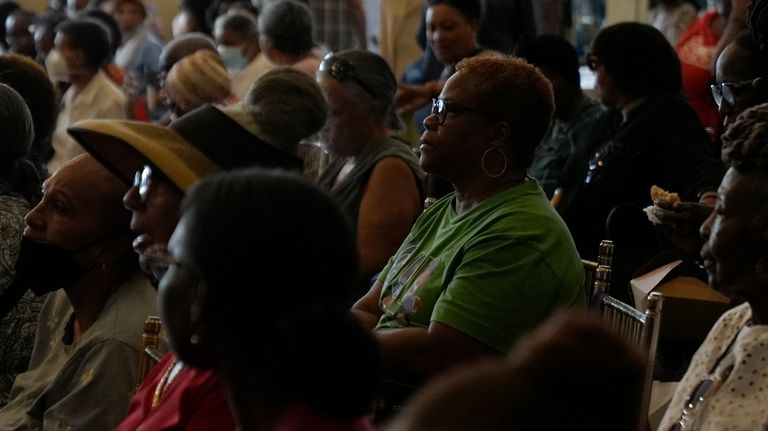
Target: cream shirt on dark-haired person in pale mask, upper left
column 99, row 99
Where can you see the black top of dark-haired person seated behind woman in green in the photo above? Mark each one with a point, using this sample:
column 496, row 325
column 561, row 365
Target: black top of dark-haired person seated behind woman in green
column 661, row 143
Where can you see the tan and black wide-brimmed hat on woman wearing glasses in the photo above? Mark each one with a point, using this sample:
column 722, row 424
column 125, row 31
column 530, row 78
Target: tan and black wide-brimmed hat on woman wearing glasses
column 199, row 143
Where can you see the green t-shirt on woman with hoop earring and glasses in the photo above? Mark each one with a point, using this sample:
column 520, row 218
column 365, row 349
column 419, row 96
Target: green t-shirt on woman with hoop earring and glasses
column 492, row 273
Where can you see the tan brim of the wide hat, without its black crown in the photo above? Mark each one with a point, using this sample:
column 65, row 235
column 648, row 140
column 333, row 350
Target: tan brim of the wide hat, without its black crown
column 124, row 147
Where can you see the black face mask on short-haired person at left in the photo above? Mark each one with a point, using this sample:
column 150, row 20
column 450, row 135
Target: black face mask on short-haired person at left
column 44, row 268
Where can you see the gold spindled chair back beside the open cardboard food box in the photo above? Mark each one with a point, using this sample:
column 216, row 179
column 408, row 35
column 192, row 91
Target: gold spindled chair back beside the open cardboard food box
column 638, row 328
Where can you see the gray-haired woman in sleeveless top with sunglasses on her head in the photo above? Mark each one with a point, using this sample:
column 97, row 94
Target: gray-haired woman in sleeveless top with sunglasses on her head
column 374, row 176
